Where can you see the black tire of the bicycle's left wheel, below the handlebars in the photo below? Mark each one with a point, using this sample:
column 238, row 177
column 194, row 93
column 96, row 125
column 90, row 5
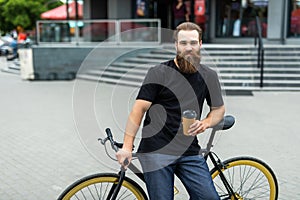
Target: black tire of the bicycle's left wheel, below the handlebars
column 135, row 185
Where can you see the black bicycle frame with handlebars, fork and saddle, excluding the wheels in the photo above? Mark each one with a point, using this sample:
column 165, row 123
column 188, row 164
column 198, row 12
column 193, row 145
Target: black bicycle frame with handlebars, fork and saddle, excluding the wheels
column 207, row 153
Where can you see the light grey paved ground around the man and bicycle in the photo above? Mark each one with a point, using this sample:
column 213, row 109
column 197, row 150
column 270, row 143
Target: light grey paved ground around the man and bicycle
column 41, row 151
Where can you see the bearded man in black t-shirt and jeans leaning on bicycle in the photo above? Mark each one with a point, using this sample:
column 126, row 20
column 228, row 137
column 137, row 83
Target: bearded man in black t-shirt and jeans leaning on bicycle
column 169, row 89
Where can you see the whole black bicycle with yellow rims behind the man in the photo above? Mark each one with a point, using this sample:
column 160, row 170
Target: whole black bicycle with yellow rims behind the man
column 235, row 179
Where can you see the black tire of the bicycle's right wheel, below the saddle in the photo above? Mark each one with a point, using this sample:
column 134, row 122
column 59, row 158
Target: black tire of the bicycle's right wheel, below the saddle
column 255, row 160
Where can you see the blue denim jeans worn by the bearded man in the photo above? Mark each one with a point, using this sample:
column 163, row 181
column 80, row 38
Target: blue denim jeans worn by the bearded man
column 193, row 172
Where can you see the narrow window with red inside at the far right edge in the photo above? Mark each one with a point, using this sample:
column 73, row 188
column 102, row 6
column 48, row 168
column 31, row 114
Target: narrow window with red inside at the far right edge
column 295, row 18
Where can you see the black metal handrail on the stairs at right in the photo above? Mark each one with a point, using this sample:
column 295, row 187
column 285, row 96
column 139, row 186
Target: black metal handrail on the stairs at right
column 260, row 50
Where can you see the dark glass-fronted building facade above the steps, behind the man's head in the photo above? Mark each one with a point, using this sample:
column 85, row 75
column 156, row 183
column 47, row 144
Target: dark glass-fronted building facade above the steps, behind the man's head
column 223, row 21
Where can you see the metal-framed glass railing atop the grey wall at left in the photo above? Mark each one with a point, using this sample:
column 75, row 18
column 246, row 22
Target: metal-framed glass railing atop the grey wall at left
column 123, row 31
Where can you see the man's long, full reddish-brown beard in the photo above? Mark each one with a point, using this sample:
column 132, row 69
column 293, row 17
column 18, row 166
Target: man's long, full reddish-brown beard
column 188, row 64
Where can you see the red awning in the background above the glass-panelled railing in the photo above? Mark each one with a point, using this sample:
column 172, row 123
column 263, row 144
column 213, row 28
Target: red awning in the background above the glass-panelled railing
column 60, row 13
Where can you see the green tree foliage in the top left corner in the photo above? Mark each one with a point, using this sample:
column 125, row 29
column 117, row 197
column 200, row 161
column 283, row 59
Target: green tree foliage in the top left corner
column 23, row 13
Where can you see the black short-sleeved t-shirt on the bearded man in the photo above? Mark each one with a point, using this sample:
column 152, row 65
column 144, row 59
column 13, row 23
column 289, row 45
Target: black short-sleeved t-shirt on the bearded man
column 171, row 92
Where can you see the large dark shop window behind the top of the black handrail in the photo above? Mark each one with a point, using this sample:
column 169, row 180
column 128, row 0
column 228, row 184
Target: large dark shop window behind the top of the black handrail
column 237, row 17
